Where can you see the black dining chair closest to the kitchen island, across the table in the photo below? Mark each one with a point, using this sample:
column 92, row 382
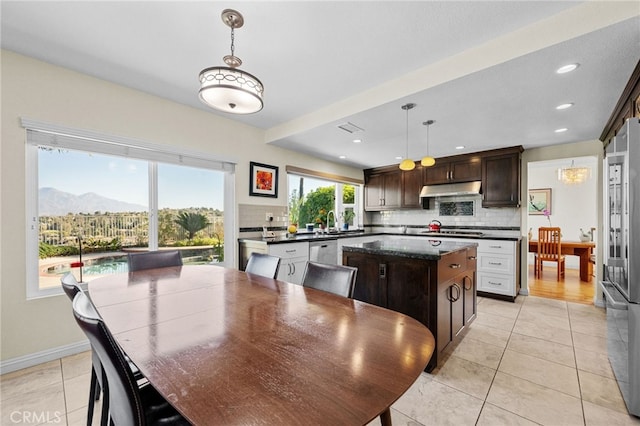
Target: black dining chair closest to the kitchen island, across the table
column 336, row 279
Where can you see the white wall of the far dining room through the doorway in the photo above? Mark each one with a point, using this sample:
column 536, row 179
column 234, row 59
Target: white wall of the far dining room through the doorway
column 572, row 206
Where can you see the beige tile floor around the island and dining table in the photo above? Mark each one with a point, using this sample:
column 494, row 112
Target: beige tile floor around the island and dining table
column 536, row 361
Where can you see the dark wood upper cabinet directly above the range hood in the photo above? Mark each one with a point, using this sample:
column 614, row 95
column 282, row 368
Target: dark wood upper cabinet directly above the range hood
column 461, row 168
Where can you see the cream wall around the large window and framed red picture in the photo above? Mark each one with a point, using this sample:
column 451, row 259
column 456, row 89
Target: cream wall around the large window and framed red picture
column 46, row 93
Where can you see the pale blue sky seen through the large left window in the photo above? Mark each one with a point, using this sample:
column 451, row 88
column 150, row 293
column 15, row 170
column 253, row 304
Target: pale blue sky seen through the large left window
column 125, row 179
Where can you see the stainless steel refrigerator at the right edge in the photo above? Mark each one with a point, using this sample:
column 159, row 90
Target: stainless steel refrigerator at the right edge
column 621, row 285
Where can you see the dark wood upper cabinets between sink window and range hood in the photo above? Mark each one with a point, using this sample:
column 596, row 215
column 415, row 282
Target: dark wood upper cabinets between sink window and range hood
column 390, row 188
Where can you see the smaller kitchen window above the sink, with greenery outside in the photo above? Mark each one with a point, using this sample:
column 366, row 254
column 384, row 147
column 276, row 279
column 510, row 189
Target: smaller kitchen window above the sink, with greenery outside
column 311, row 199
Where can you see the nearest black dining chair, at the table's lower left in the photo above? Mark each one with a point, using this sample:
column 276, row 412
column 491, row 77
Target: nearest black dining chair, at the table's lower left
column 129, row 403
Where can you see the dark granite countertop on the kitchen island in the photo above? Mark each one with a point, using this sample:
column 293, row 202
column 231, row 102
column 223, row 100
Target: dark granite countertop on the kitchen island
column 411, row 248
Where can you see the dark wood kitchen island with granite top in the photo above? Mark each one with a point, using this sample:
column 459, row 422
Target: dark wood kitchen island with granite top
column 432, row 281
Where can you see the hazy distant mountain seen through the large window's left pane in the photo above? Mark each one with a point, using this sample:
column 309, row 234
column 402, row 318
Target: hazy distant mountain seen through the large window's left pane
column 53, row 202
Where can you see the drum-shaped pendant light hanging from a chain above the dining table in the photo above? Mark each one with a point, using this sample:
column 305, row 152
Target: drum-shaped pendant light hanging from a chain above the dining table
column 230, row 89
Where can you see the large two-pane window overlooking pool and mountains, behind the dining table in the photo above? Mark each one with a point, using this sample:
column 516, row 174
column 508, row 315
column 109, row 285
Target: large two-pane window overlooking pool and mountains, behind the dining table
column 91, row 201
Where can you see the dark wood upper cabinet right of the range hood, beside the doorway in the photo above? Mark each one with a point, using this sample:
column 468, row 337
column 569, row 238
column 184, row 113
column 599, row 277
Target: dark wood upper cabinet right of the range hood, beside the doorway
column 501, row 178
